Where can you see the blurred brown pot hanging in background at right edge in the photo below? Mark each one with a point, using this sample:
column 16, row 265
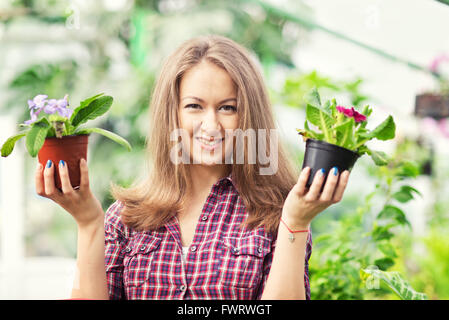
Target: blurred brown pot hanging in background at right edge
column 432, row 105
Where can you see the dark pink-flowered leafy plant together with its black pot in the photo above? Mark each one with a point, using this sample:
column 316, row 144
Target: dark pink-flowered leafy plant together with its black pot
column 341, row 137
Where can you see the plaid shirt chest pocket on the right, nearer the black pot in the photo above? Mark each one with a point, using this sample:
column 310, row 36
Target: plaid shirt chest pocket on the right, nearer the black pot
column 242, row 261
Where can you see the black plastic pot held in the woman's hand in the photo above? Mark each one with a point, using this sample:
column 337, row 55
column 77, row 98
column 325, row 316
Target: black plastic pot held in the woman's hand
column 322, row 155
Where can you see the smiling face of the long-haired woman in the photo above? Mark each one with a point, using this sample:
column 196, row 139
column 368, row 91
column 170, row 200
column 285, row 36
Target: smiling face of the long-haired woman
column 208, row 112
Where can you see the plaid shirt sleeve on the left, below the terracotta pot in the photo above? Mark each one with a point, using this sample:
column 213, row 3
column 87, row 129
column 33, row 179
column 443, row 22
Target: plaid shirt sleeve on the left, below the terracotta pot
column 115, row 243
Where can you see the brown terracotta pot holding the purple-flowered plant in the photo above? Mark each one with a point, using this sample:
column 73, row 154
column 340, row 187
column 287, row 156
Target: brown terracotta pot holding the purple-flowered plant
column 68, row 148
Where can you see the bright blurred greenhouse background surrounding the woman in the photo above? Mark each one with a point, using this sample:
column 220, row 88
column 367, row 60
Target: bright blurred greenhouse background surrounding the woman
column 386, row 239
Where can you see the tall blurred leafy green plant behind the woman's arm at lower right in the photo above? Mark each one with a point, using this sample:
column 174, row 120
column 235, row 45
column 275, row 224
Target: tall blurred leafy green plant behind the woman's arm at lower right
column 364, row 237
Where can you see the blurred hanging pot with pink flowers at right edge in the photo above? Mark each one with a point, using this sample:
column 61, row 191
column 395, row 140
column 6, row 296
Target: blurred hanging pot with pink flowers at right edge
column 435, row 104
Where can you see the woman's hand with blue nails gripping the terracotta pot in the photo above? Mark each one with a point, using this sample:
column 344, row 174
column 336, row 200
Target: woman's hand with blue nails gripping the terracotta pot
column 81, row 203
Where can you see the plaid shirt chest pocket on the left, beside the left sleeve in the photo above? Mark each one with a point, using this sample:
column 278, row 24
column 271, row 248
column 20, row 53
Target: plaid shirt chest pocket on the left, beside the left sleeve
column 139, row 257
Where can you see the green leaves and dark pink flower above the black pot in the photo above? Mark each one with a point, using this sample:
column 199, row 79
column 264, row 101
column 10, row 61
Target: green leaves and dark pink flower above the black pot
column 345, row 127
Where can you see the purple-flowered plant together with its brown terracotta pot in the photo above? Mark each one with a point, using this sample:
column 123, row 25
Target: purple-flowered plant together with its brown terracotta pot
column 54, row 132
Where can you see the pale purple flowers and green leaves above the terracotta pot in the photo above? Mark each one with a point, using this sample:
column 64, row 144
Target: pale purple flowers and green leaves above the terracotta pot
column 54, row 118
